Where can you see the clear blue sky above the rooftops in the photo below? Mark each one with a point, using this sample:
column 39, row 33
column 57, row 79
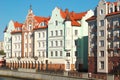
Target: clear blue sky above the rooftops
column 17, row 10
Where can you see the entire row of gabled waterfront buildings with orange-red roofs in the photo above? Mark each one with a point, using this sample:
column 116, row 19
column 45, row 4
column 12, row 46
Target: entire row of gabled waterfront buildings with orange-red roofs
column 66, row 40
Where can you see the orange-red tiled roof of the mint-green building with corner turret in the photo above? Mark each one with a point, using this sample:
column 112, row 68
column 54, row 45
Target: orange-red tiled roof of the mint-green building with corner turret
column 73, row 17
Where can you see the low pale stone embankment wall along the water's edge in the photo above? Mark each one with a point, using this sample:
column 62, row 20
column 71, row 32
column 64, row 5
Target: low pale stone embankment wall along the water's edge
column 35, row 76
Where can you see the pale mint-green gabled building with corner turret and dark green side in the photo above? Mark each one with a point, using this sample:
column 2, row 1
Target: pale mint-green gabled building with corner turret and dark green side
column 66, row 39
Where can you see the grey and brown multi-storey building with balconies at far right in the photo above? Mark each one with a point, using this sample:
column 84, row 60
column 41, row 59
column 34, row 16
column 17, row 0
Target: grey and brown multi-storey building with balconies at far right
column 103, row 50
